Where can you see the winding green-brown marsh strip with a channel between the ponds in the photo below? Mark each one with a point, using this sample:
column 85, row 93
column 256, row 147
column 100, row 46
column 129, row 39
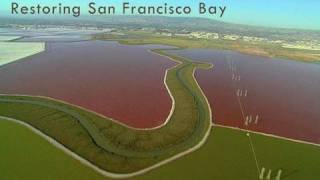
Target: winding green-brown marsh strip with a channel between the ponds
column 112, row 146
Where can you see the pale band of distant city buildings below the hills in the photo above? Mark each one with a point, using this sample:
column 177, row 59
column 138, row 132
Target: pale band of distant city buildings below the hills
column 306, row 44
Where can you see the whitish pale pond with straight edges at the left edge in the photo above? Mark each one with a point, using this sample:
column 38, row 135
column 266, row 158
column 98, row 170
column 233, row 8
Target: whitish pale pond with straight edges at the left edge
column 13, row 51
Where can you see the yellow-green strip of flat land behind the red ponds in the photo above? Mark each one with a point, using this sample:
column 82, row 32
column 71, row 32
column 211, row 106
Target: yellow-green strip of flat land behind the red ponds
column 136, row 37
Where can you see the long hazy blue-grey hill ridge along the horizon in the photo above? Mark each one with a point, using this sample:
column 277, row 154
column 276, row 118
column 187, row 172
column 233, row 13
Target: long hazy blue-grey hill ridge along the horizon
column 175, row 23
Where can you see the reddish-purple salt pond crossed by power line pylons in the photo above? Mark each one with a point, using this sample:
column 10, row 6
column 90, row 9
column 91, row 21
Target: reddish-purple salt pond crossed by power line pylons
column 279, row 97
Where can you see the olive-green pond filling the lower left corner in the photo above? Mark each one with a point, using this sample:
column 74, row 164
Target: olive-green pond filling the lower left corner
column 26, row 155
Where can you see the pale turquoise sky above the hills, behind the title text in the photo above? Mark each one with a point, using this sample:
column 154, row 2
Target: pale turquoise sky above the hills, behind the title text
column 276, row 13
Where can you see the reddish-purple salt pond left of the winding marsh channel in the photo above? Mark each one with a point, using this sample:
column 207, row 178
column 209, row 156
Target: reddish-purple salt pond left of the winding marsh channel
column 118, row 81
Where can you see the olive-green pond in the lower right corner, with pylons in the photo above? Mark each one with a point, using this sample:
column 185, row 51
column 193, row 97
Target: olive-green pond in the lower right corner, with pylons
column 228, row 155
